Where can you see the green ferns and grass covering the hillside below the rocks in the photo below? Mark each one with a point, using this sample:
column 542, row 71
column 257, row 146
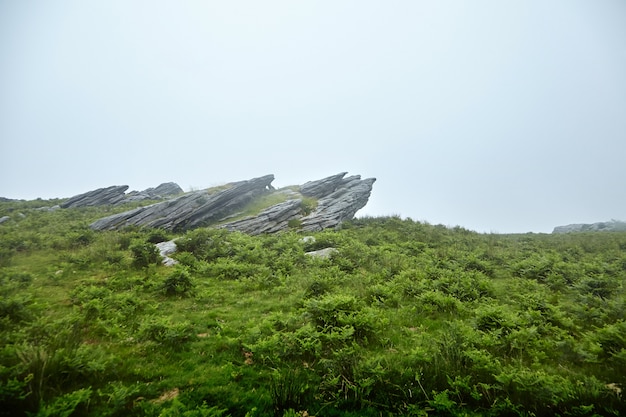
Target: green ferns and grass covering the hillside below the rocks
column 406, row 319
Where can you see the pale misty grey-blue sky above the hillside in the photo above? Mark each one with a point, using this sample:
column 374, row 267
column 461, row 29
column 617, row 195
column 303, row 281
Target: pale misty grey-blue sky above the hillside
column 498, row 116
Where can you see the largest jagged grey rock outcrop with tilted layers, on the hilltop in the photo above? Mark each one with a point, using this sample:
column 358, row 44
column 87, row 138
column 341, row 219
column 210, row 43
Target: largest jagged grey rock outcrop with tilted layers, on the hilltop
column 338, row 199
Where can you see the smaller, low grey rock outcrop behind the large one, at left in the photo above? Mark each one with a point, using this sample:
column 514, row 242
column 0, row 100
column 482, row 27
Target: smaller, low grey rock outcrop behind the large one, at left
column 116, row 194
